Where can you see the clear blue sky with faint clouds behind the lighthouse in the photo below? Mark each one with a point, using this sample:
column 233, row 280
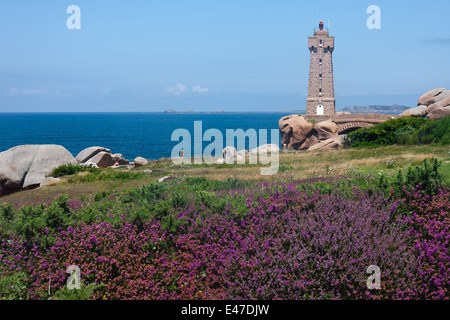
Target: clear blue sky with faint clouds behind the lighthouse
column 234, row 55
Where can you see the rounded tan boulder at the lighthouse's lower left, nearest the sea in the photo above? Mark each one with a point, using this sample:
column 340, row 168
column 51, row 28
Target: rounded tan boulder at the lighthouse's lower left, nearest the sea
column 294, row 131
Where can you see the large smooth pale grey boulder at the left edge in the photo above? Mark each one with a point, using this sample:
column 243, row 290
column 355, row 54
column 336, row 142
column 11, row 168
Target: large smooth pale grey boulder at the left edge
column 26, row 166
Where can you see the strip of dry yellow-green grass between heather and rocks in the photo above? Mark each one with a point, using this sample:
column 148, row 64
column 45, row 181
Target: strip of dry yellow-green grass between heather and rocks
column 293, row 166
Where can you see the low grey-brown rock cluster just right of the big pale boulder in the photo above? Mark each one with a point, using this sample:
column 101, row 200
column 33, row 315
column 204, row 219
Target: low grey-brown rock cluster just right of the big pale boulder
column 100, row 157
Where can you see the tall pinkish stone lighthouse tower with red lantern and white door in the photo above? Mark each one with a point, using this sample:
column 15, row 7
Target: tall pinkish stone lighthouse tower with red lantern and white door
column 321, row 100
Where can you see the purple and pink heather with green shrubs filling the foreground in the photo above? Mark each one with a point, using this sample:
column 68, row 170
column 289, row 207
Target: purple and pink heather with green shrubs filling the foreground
column 197, row 238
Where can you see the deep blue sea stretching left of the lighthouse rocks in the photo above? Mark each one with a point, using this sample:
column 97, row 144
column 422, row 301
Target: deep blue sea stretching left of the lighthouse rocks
column 132, row 134
